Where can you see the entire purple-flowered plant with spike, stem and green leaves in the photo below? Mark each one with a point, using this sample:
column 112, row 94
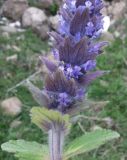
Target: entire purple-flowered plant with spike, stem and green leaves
column 75, row 48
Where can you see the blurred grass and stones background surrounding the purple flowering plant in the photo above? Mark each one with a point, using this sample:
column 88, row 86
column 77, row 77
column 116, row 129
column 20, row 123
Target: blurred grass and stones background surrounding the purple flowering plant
column 23, row 37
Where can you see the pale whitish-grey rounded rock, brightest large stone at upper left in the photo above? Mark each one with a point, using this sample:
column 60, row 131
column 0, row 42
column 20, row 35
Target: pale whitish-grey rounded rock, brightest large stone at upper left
column 33, row 17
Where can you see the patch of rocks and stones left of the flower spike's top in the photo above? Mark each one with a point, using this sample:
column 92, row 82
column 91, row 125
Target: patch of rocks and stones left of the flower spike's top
column 18, row 15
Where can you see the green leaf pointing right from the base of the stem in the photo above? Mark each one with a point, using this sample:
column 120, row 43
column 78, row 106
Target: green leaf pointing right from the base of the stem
column 89, row 141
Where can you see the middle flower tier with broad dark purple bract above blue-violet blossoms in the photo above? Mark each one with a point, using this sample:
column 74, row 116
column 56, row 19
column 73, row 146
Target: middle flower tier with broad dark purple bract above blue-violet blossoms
column 75, row 59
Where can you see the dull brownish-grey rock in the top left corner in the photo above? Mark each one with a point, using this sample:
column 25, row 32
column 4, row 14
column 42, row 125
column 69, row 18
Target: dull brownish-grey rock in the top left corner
column 14, row 9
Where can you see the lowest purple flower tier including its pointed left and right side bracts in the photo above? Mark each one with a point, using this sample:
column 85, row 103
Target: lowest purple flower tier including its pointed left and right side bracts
column 60, row 93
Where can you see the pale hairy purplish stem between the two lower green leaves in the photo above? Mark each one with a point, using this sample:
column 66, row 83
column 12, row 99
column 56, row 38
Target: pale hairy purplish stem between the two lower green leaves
column 56, row 138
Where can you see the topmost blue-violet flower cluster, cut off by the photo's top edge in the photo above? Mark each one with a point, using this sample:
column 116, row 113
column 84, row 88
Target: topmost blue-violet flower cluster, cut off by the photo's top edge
column 81, row 17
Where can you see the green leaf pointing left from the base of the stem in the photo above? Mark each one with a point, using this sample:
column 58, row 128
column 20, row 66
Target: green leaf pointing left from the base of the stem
column 25, row 150
